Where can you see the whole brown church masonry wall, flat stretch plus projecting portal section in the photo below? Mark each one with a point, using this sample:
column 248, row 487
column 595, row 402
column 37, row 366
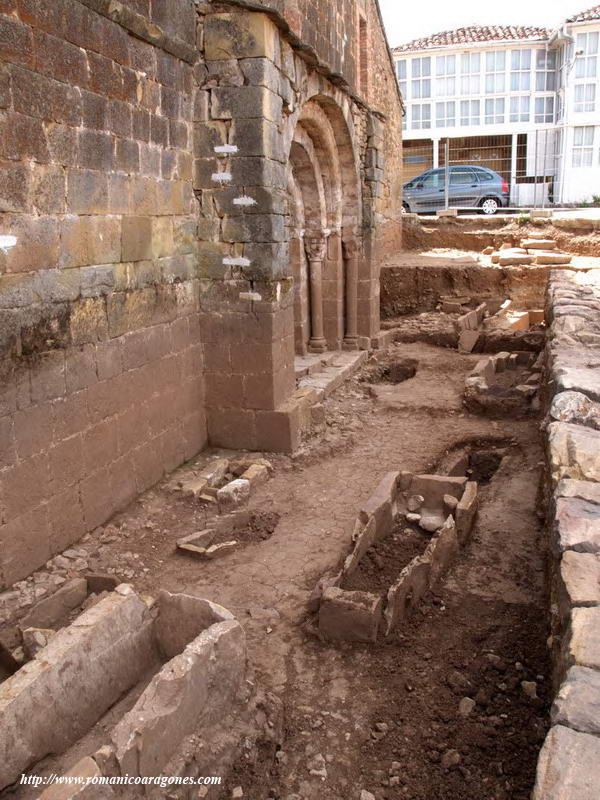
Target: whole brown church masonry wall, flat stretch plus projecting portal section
column 146, row 294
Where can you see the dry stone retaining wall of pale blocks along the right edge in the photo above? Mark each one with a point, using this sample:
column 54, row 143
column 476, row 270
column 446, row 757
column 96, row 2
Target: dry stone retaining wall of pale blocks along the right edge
column 568, row 765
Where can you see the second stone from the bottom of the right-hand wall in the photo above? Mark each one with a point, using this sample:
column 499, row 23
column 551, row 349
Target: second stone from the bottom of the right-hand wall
column 577, row 704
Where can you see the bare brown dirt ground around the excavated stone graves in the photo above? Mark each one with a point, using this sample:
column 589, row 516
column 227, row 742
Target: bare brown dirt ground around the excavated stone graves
column 384, row 718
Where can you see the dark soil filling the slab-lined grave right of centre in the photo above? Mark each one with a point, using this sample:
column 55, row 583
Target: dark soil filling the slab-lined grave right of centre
column 382, row 564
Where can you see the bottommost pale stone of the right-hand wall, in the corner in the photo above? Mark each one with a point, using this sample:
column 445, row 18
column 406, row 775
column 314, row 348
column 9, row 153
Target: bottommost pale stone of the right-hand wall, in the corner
column 568, row 766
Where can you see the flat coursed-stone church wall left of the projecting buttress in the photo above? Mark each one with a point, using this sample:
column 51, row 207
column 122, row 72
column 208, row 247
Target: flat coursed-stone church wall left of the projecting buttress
column 102, row 388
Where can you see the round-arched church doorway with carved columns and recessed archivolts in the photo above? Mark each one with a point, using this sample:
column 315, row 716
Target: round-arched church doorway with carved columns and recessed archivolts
column 325, row 220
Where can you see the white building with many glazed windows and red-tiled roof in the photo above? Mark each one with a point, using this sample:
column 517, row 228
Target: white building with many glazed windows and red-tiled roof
column 523, row 101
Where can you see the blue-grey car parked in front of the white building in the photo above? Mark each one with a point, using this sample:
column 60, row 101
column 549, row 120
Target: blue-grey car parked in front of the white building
column 470, row 187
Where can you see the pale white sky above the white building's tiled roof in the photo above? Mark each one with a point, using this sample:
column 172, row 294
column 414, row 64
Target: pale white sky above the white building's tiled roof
column 406, row 21
